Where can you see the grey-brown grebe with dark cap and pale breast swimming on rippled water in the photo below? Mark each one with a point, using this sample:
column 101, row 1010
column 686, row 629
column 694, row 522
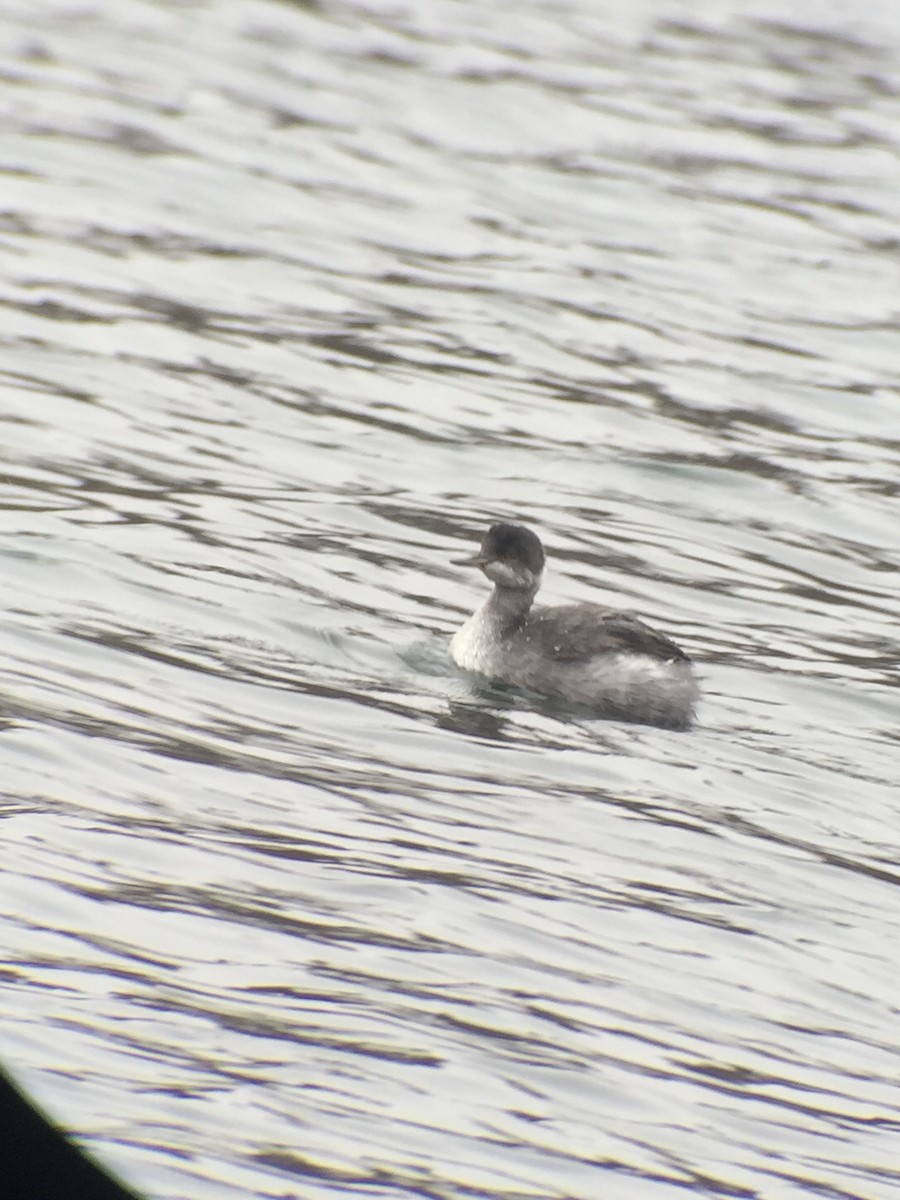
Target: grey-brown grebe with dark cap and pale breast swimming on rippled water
column 583, row 655
